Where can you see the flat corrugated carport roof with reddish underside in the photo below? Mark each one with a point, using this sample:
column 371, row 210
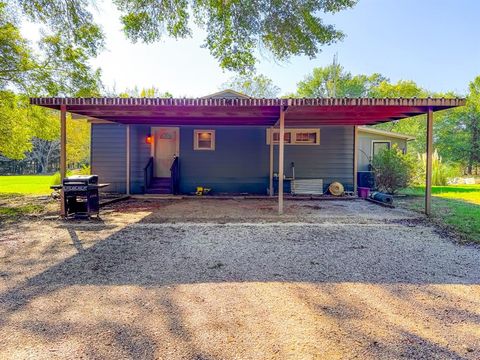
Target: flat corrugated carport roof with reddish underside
column 251, row 111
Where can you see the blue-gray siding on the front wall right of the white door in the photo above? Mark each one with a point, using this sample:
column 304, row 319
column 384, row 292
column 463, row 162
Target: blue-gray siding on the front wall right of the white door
column 240, row 161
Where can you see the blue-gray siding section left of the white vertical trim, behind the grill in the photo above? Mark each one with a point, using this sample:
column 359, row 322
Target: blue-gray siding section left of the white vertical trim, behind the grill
column 108, row 155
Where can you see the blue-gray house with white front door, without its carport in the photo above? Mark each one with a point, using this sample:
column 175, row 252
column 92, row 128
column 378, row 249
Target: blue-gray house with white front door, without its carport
column 231, row 159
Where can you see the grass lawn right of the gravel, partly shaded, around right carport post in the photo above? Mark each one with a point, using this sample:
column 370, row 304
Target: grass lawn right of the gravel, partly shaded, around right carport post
column 457, row 206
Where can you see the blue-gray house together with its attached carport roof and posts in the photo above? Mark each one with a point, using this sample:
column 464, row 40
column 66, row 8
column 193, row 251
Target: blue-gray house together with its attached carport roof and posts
column 231, row 143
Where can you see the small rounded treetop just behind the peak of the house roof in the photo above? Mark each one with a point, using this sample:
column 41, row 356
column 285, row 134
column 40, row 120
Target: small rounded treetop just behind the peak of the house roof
column 256, row 86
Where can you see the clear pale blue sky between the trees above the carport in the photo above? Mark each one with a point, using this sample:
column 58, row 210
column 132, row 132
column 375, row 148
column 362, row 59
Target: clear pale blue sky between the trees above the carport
column 433, row 42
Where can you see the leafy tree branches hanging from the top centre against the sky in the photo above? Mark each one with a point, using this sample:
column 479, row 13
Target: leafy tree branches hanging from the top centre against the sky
column 236, row 29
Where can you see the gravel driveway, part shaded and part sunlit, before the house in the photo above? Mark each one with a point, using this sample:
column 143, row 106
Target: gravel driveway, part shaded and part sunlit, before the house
column 229, row 279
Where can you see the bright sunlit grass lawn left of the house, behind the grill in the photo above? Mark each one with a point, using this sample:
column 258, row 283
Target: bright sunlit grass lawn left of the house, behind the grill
column 26, row 184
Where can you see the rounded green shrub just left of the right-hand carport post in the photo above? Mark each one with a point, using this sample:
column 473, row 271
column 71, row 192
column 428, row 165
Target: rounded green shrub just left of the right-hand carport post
column 393, row 170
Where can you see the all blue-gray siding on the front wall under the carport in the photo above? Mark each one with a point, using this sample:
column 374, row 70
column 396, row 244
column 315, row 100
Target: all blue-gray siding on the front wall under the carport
column 239, row 163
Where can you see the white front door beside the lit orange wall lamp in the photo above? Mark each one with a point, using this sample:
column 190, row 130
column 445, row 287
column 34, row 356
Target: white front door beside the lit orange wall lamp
column 166, row 145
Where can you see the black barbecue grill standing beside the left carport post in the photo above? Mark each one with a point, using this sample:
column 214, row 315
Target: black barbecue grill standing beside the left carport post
column 80, row 195
